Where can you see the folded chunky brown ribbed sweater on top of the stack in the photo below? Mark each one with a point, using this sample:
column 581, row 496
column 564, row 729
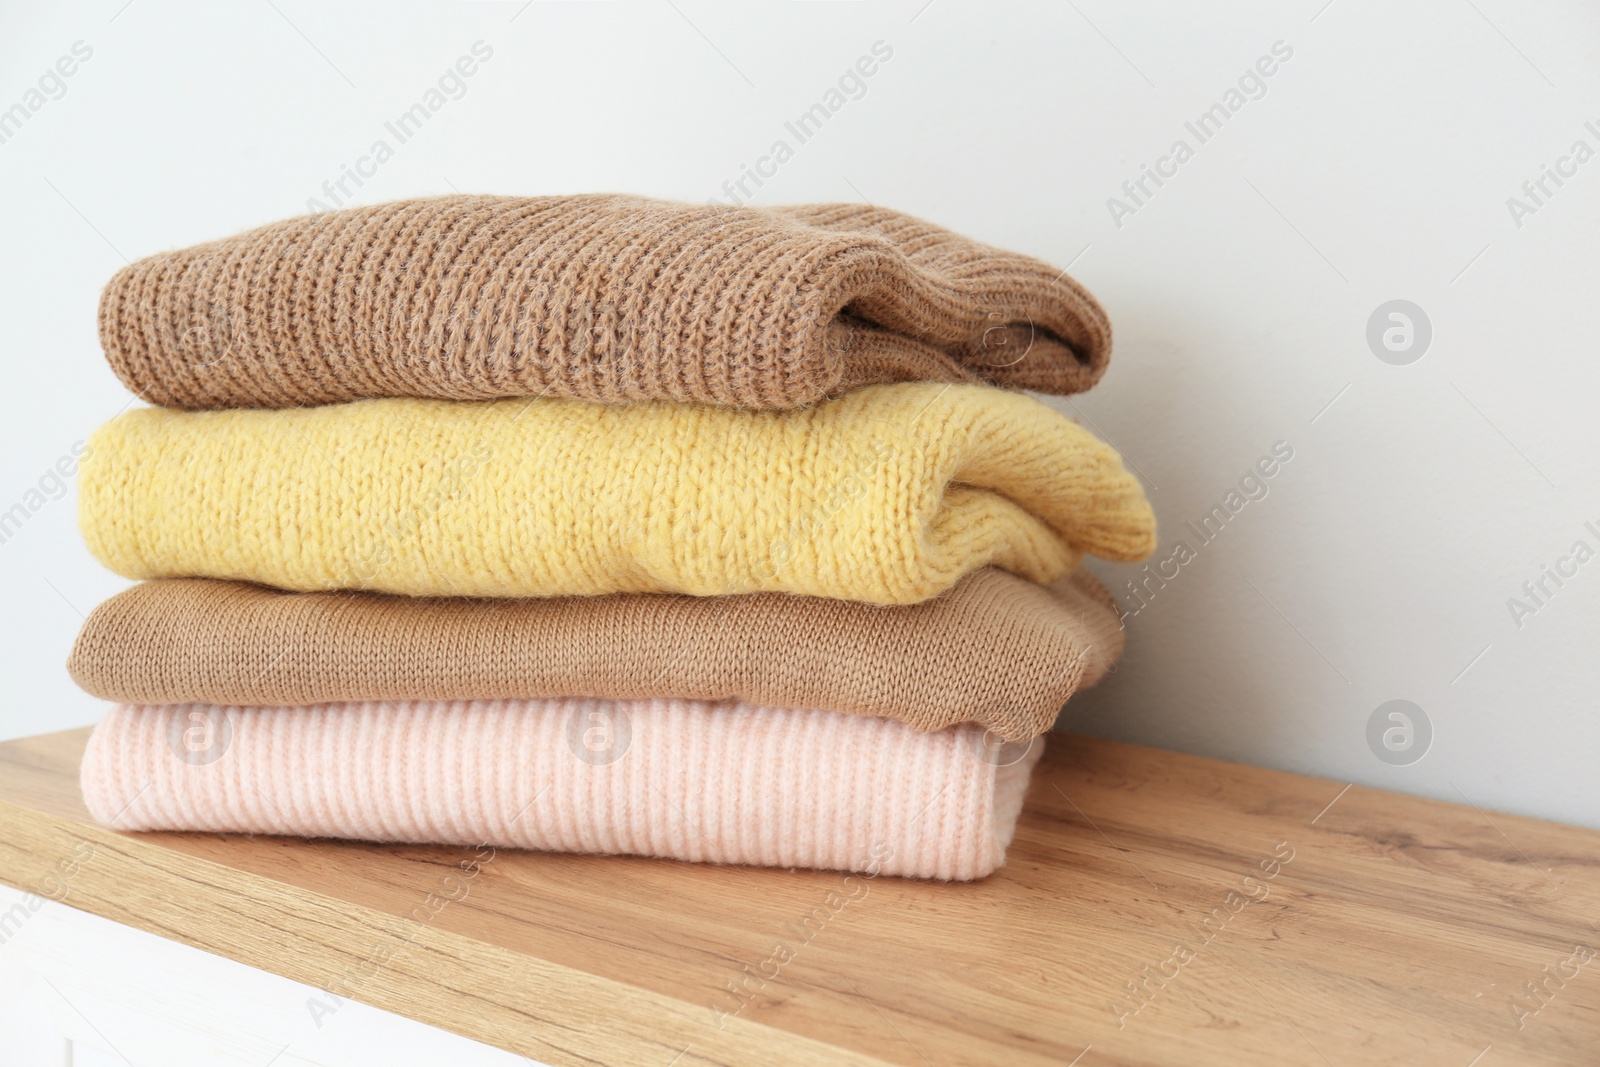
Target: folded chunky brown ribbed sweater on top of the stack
column 599, row 297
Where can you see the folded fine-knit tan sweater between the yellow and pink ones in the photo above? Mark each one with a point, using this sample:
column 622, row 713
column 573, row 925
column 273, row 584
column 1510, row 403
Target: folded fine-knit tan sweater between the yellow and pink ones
column 996, row 650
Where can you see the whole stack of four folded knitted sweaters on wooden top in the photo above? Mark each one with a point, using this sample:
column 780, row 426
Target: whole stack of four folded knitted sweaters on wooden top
column 599, row 524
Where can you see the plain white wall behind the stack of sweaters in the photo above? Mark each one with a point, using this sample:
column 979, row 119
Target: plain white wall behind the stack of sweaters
column 1377, row 167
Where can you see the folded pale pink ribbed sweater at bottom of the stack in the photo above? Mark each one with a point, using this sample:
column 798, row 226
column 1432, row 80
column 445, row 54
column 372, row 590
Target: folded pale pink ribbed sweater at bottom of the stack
column 682, row 780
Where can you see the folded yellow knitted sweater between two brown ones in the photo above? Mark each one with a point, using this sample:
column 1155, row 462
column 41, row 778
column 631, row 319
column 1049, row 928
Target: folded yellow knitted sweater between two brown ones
column 884, row 495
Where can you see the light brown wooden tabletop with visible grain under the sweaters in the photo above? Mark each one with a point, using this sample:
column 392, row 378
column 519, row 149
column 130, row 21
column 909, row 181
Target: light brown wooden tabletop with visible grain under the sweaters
column 1156, row 909
